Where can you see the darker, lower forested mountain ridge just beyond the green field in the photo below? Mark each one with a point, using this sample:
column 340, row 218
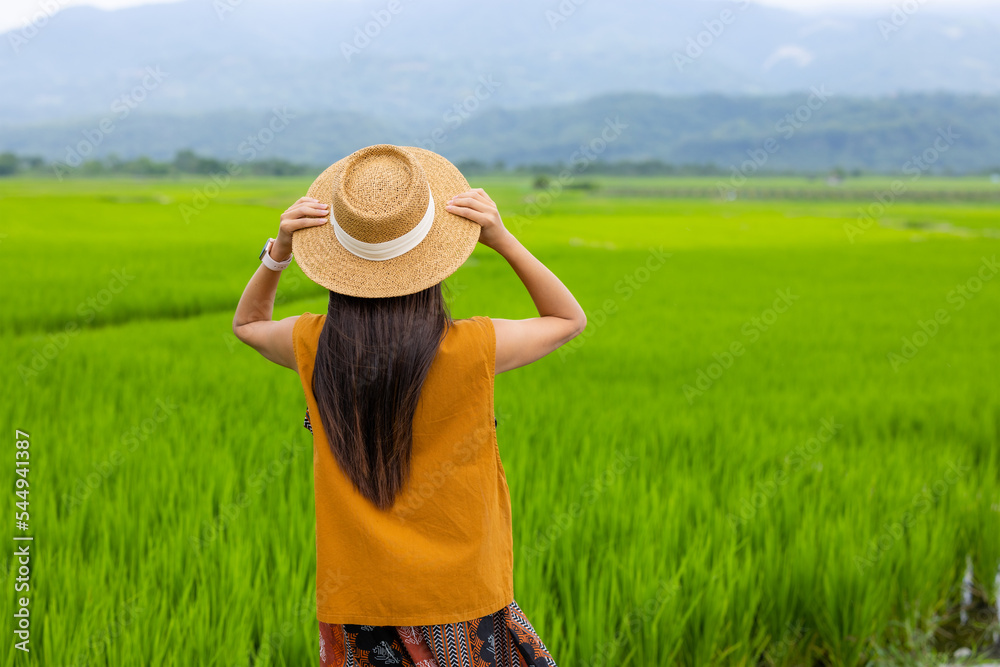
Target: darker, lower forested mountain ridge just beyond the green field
column 801, row 131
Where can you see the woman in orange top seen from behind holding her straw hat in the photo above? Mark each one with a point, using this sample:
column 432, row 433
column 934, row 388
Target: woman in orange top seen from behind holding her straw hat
column 413, row 523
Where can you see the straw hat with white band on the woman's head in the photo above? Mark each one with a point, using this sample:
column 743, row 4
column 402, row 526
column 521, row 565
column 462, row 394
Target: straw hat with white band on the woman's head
column 389, row 233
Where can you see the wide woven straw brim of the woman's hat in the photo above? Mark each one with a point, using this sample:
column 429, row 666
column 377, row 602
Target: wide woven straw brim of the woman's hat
column 449, row 243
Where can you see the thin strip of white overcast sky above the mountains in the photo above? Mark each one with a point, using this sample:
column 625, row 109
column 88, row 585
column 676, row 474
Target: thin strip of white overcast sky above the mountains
column 15, row 13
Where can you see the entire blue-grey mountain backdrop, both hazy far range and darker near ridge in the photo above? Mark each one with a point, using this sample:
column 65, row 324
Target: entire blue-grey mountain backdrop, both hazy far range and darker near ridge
column 521, row 81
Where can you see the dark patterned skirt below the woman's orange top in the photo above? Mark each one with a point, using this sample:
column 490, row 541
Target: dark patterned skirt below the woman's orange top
column 502, row 639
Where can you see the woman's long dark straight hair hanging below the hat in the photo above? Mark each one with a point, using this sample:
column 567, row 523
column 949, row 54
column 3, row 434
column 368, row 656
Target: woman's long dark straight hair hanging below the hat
column 371, row 362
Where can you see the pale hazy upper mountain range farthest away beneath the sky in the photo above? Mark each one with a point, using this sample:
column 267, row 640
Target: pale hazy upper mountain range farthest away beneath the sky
column 223, row 56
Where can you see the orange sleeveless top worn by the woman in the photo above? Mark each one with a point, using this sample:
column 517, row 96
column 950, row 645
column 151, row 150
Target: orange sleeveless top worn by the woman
column 443, row 553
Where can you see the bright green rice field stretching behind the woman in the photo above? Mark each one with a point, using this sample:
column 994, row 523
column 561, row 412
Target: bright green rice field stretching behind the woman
column 776, row 443
